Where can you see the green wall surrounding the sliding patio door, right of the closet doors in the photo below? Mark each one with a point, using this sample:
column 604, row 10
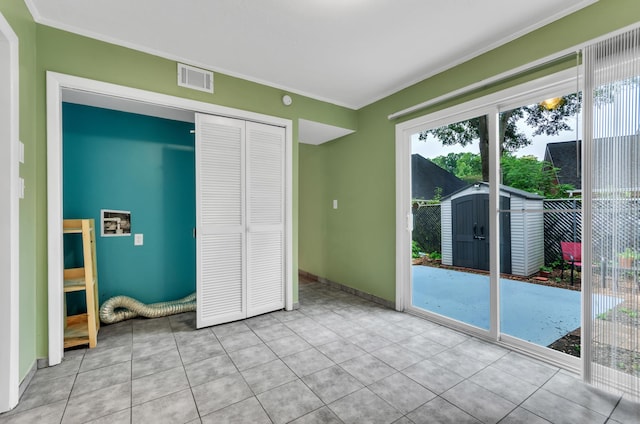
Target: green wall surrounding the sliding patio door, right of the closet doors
column 355, row 245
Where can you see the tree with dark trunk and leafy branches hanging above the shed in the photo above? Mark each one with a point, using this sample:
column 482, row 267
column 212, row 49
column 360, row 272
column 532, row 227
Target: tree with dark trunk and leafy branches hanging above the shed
column 545, row 120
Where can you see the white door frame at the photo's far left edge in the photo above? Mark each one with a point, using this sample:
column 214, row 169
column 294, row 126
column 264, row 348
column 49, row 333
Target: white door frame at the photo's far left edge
column 9, row 217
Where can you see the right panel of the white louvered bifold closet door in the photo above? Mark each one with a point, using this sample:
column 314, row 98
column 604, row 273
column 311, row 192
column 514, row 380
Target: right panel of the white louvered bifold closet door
column 265, row 218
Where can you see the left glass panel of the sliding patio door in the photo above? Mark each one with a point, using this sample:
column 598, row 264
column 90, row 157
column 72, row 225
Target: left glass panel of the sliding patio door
column 450, row 202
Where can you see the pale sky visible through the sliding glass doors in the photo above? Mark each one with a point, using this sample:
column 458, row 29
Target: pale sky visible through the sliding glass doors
column 432, row 148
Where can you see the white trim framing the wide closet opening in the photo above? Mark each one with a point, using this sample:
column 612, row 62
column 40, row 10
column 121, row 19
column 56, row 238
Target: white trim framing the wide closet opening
column 56, row 83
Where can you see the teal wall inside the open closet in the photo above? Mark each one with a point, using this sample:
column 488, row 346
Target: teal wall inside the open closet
column 146, row 165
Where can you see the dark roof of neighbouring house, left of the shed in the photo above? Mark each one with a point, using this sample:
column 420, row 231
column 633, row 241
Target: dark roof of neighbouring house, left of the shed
column 426, row 176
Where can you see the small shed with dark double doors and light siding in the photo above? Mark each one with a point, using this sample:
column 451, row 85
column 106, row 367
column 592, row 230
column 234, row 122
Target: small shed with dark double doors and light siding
column 465, row 229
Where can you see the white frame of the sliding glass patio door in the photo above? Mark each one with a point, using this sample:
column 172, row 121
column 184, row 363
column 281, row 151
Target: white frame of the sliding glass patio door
column 490, row 105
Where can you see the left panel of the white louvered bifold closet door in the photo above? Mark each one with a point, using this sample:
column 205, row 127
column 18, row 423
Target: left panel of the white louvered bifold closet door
column 220, row 220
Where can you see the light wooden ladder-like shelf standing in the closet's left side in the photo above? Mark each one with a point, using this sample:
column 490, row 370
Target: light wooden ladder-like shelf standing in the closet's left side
column 82, row 328
